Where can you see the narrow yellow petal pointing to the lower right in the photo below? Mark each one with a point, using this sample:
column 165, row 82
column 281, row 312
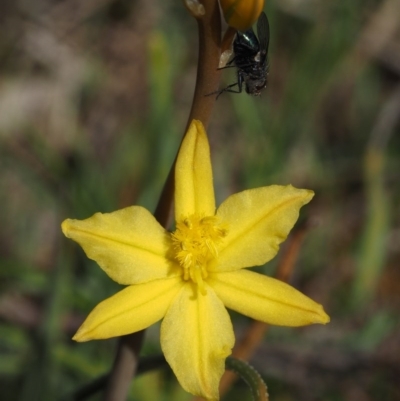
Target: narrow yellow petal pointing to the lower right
column 266, row 299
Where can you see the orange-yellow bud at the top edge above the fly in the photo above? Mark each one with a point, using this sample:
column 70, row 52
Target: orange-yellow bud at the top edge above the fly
column 241, row 14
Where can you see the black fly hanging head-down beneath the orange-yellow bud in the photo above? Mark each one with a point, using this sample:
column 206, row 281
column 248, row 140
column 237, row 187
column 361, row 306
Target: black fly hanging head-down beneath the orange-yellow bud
column 250, row 59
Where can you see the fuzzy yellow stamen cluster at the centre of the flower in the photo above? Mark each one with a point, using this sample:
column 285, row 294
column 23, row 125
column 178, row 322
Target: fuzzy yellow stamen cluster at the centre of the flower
column 195, row 242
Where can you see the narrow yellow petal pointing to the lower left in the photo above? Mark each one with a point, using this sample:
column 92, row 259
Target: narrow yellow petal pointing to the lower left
column 132, row 309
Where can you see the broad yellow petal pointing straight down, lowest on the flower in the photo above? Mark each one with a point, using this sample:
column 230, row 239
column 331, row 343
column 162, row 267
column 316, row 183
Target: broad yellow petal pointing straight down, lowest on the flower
column 196, row 337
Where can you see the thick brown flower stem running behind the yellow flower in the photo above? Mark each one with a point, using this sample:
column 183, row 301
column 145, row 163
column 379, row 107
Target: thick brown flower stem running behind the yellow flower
column 208, row 76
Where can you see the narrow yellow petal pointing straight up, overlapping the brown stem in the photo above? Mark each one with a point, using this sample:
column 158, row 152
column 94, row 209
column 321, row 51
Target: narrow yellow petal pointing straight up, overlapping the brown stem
column 194, row 192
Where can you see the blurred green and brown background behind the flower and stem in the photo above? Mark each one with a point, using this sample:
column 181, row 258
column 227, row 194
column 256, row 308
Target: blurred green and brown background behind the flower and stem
column 94, row 97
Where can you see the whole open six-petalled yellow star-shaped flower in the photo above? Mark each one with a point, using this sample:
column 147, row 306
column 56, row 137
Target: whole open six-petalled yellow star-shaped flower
column 188, row 277
